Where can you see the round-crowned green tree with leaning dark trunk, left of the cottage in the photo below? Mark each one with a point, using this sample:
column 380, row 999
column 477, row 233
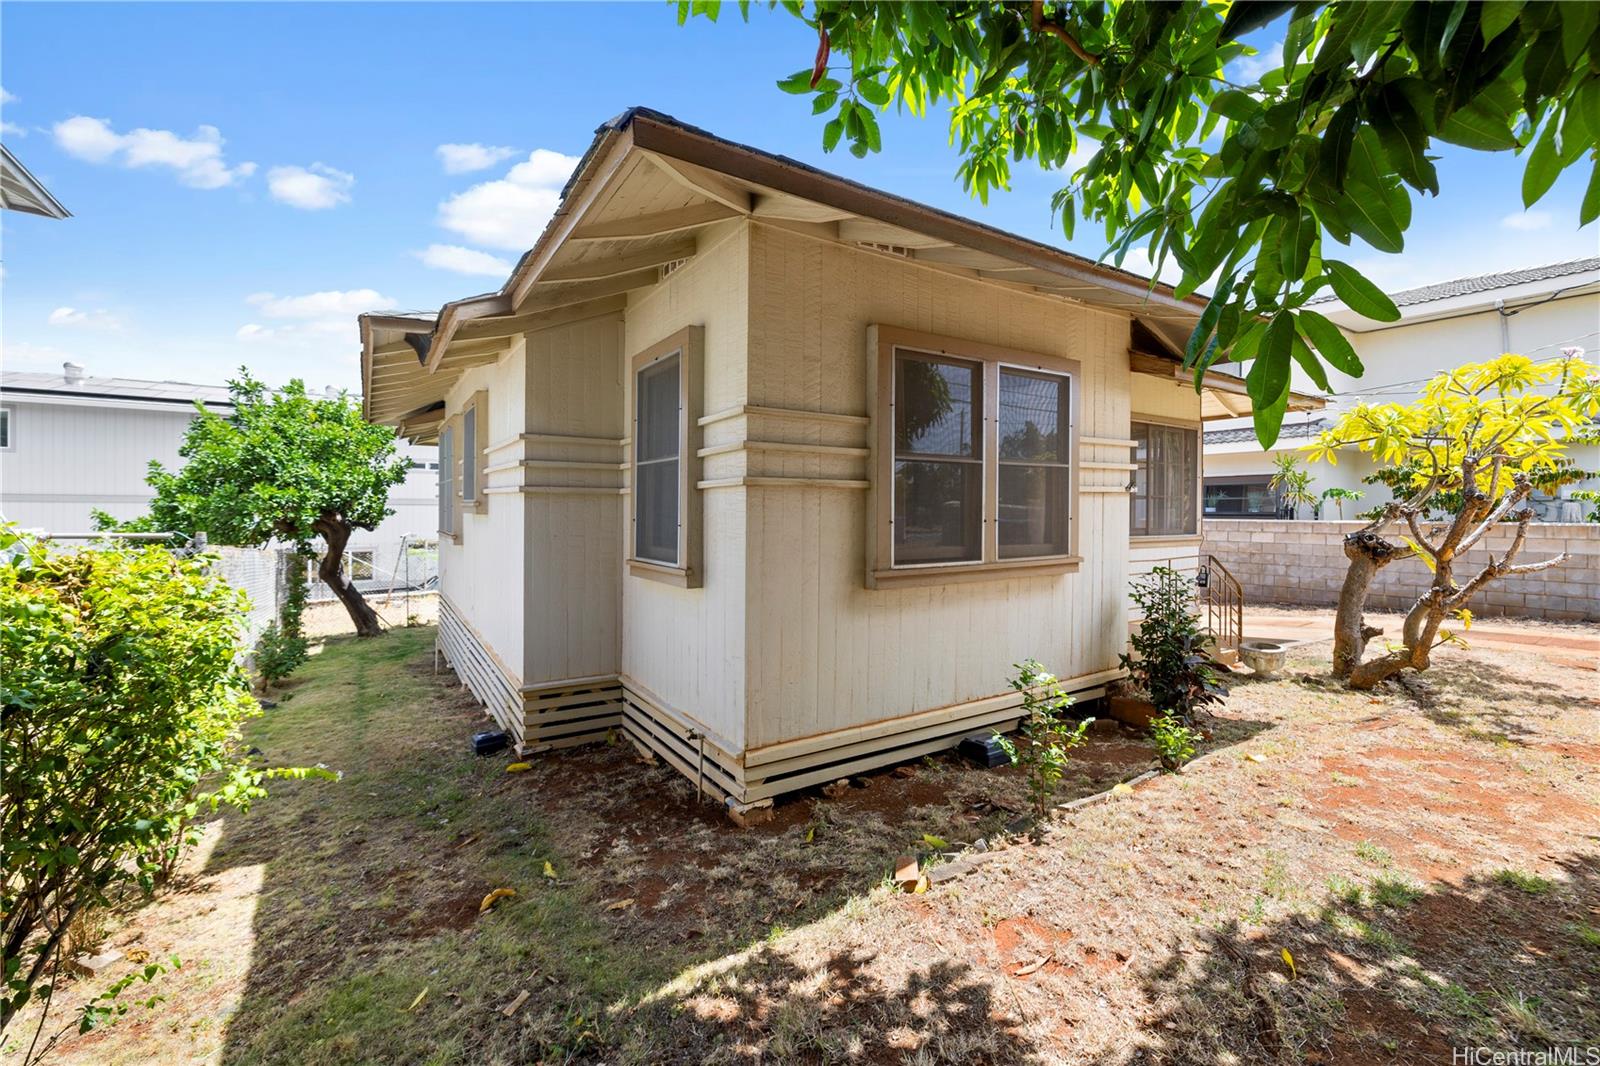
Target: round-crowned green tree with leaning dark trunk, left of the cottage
column 284, row 467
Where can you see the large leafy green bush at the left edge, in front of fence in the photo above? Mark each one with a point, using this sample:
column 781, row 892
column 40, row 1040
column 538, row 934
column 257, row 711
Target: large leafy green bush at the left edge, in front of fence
column 122, row 703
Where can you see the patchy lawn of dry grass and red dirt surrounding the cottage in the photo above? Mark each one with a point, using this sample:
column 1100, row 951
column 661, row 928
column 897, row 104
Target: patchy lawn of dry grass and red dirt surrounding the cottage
column 1428, row 857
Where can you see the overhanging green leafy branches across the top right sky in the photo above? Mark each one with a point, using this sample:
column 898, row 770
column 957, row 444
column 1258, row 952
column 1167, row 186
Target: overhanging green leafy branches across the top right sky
column 1249, row 183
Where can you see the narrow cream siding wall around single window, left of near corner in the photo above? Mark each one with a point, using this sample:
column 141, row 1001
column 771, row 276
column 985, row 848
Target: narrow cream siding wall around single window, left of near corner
column 687, row 646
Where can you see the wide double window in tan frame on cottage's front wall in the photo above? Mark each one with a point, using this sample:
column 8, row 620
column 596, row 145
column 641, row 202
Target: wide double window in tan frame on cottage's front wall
column 974, row 467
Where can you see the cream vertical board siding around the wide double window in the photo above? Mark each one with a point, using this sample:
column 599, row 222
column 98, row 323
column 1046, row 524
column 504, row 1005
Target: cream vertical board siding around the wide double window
column 823, row 651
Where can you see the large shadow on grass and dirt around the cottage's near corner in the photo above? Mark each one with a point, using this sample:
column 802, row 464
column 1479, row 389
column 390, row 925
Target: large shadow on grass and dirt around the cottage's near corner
column 370, row 945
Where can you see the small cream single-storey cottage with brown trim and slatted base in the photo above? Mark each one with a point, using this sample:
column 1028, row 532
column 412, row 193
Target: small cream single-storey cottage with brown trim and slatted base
column 780, row 475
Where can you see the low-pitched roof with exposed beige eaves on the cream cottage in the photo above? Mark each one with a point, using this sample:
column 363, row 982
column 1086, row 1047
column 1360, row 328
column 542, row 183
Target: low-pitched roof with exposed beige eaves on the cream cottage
column 634, row 204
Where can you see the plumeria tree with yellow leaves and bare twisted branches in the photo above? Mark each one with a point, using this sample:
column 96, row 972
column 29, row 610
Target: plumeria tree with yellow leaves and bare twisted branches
column 1482, row 436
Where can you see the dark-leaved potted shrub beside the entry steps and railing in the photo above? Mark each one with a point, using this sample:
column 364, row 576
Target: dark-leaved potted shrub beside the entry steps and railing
column 1169, row 660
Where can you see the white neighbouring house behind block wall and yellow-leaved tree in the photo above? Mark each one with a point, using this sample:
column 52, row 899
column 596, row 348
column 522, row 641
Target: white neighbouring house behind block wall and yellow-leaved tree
column 1535, row 313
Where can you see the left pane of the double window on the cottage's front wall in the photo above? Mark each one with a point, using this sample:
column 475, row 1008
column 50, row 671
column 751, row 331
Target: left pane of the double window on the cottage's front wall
column 938, row 460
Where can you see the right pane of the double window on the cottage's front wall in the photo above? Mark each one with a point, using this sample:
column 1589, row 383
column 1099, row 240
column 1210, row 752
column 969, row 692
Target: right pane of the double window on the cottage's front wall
column 1034, row 449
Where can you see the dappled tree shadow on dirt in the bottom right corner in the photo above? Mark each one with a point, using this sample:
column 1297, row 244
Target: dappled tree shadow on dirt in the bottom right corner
column 1388, row 972
